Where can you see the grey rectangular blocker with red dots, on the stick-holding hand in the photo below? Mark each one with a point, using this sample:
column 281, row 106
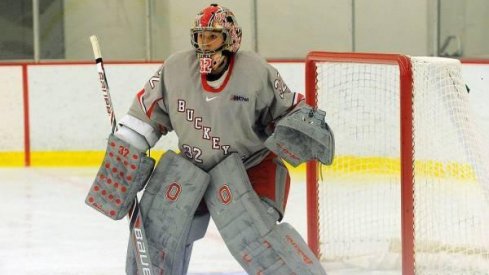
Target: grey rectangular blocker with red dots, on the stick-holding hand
column 123, row 173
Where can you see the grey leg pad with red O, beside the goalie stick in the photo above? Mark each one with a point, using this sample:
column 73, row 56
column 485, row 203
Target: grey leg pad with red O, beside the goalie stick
column 168, row 206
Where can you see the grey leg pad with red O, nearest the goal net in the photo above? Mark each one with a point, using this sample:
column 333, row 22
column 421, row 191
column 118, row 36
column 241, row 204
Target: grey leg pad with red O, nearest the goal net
column 248, row 225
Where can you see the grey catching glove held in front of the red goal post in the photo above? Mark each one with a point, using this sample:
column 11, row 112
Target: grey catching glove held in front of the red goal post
column 303, row 135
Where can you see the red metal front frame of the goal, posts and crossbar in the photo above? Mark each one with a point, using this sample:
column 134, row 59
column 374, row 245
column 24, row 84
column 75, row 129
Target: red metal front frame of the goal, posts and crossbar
column 406, row 79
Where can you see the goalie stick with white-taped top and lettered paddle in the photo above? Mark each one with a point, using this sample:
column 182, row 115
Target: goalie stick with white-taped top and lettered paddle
column 136, row 226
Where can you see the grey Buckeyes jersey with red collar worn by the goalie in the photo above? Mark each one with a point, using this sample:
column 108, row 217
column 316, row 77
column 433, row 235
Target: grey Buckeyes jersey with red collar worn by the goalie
column 210, row 123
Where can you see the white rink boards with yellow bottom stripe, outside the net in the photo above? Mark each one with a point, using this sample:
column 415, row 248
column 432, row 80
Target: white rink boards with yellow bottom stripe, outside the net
column 54, row 114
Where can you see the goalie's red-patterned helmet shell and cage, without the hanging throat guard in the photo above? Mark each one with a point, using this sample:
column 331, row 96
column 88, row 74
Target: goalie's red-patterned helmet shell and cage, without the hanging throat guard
column 218, row 19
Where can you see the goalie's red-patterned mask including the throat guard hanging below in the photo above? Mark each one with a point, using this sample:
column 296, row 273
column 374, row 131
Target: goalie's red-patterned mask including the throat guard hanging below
column 218, row 19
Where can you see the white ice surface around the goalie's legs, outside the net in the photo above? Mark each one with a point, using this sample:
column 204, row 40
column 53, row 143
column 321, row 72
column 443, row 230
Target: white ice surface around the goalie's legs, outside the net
column 46, row 227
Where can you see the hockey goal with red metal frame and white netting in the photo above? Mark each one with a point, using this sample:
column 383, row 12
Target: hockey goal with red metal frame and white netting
column 409, row 186
